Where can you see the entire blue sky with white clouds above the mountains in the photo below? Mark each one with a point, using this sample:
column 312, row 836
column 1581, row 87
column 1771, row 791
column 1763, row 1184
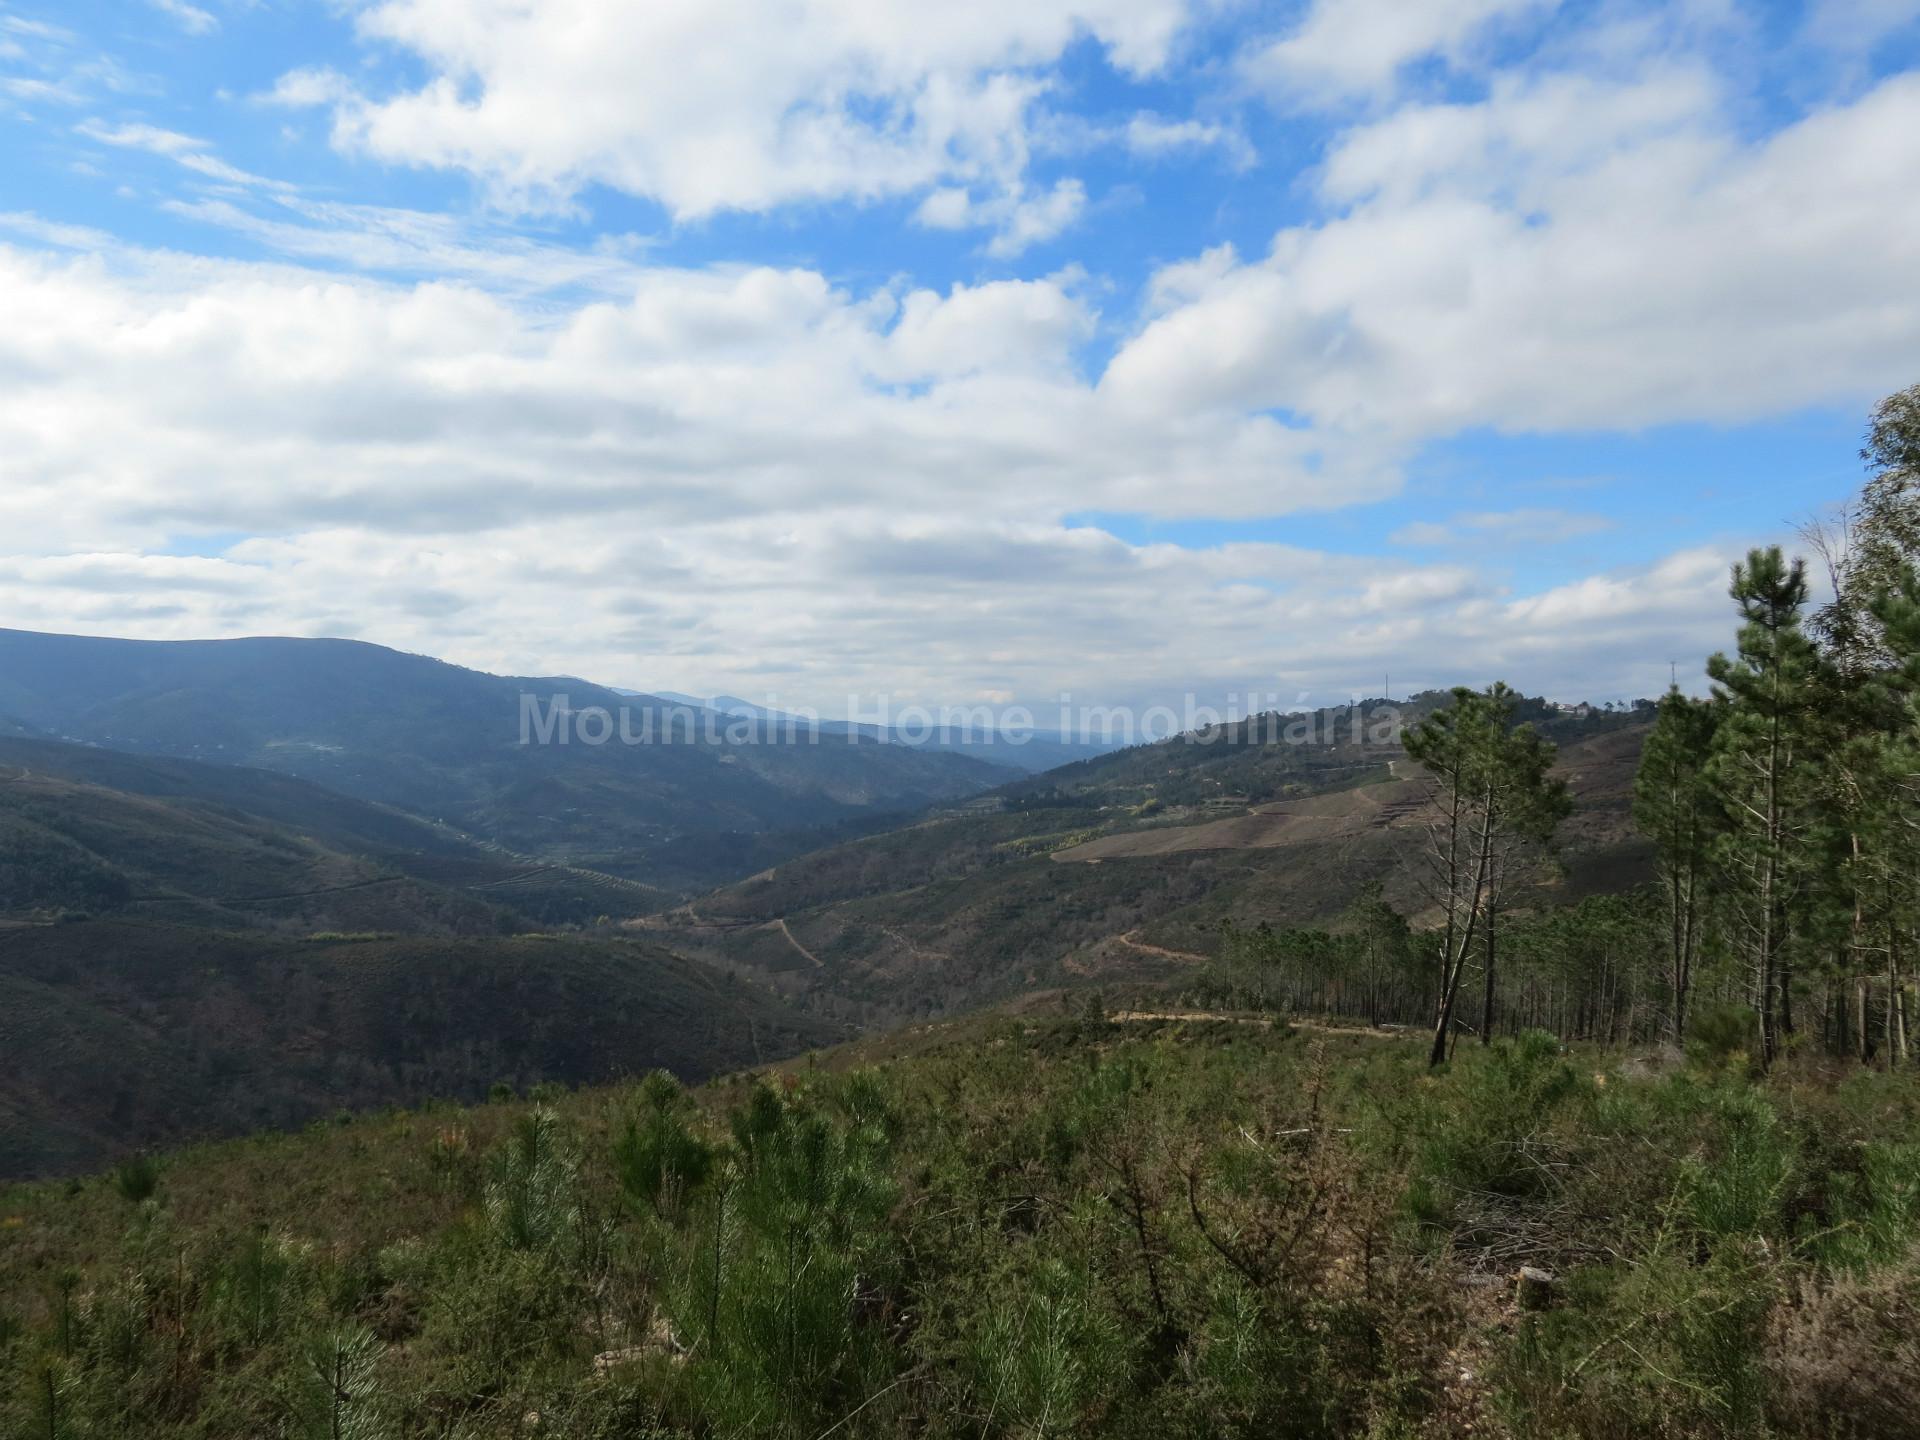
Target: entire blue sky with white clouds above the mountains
column 827, row 348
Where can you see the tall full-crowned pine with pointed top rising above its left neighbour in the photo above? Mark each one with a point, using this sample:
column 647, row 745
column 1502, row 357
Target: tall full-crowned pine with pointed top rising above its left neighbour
column 1767, row 690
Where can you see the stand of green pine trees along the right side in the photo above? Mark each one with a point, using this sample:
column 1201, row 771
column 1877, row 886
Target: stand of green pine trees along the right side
column 1785, row 811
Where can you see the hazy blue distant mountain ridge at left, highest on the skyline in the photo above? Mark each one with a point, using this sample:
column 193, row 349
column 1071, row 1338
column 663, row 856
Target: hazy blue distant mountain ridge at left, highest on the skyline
column 446, row 744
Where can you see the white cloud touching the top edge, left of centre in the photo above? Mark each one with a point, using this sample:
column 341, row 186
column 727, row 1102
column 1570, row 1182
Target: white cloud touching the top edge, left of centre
column 713, row 105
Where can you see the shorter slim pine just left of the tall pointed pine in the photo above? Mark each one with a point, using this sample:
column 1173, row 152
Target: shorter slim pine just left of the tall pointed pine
column 1677, row 807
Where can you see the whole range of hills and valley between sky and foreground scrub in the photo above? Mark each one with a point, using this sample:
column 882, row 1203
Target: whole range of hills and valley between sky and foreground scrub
column 254, row 882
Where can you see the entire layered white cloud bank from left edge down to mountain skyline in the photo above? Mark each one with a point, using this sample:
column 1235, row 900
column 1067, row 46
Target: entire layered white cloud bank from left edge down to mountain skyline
column 744, row 479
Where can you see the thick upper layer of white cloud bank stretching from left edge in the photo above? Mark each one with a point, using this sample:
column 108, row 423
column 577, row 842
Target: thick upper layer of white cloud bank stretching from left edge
column 700, row 393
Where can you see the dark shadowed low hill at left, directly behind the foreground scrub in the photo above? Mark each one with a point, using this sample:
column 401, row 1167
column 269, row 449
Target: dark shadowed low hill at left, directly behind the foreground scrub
column 122, row 1036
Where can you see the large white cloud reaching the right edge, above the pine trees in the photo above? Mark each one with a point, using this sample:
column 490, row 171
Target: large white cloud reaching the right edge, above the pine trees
column 1564, row 256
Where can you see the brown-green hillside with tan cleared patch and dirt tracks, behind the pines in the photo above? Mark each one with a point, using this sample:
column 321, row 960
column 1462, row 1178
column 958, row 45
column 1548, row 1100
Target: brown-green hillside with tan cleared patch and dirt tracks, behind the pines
column 1124, row 867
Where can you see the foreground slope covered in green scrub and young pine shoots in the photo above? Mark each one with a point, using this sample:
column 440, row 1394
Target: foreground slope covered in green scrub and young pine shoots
column 1053, row 1226
